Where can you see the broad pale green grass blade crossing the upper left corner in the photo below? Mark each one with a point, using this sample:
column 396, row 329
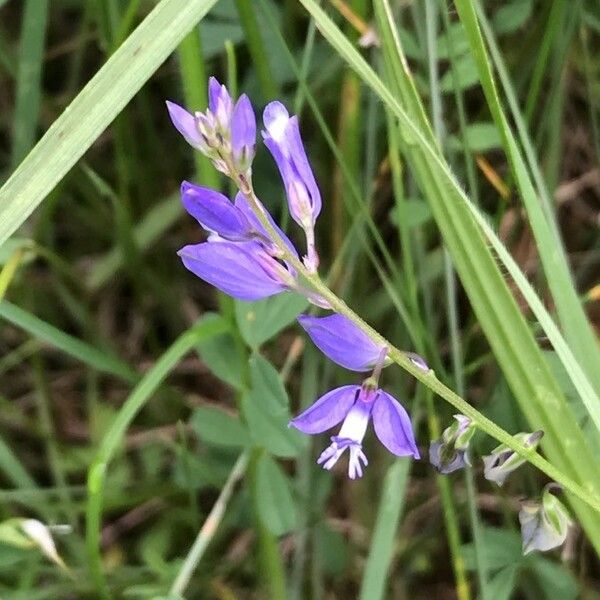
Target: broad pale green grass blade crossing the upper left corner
column 95, row 107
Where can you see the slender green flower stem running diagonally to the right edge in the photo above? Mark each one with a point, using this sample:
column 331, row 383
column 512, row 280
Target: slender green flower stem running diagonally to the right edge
column 428, row 378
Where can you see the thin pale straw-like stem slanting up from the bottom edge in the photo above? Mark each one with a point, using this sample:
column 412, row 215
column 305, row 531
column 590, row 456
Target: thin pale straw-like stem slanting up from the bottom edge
column 209, row 528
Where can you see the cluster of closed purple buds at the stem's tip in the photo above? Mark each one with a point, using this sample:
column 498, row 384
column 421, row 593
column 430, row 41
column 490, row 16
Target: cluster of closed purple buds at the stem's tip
column 226, row 132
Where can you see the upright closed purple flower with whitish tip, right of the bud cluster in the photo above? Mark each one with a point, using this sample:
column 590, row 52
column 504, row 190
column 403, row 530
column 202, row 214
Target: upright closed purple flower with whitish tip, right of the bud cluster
column 282, row 138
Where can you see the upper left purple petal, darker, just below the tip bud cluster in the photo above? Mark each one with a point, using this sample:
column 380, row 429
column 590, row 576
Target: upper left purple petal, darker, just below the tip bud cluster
column 214, row 211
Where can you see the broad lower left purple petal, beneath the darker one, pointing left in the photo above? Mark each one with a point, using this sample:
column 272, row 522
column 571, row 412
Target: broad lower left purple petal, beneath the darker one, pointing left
column 232, row 268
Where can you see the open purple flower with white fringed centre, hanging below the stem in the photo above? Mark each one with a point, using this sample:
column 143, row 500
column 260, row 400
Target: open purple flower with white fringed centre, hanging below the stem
column 355, row 405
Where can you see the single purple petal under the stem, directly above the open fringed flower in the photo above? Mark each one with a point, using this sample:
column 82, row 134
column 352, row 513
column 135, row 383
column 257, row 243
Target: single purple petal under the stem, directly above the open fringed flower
column 342, row 341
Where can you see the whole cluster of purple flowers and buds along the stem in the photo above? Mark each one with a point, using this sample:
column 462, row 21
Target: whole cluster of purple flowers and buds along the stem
column 249, row 257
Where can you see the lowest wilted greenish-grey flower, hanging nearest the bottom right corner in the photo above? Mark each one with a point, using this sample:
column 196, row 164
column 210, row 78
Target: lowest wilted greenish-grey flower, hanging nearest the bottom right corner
column 544, row 525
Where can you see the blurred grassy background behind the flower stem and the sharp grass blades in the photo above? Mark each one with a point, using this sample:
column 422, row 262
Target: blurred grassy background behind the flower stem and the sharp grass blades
column 94, row 295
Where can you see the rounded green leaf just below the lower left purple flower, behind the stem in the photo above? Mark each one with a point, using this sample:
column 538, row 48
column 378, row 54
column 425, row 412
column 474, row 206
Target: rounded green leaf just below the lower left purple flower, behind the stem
column 260, row 321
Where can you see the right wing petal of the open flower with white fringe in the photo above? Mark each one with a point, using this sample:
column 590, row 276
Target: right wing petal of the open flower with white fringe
column 393, row 427
